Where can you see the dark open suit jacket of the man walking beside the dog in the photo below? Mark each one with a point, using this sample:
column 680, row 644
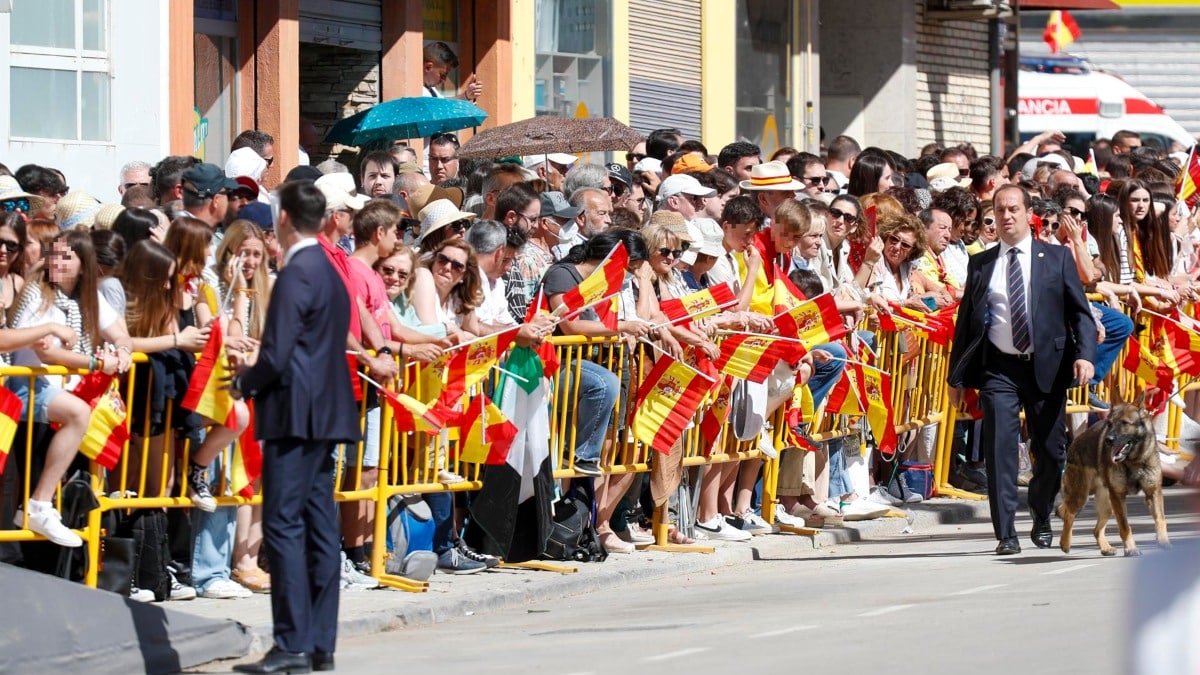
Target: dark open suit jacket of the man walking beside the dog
column 1061, row 324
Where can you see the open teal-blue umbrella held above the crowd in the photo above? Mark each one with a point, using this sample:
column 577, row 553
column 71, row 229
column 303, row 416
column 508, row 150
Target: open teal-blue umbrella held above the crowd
column 406, row 118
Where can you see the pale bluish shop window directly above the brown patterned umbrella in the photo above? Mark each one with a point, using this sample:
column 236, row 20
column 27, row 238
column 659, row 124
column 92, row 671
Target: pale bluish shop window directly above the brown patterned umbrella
column 573, row 55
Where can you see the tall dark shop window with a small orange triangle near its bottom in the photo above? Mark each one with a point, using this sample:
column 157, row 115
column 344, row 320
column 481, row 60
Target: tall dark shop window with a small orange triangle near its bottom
column 764, row 91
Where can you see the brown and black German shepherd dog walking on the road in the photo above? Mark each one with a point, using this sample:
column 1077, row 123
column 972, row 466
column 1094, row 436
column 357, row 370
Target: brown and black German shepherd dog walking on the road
column 1113, row 459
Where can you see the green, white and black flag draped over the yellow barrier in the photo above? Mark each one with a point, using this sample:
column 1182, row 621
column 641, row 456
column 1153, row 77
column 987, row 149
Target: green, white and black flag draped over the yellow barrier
column 513, row 507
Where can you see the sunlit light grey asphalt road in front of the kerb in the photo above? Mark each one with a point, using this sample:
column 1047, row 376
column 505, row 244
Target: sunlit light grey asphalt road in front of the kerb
column 938, row 602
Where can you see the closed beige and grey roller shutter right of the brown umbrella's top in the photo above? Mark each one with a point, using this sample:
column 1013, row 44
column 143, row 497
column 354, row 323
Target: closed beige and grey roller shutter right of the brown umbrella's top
column 664, row 65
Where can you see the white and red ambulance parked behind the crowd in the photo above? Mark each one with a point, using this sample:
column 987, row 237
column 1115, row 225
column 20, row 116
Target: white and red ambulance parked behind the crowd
column 1067, row 94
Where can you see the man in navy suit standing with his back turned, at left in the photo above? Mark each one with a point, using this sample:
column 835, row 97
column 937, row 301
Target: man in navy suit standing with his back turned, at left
column 305, row 407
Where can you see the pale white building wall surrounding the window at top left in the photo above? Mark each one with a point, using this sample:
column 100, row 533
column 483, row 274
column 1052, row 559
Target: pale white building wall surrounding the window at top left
column 139, row 67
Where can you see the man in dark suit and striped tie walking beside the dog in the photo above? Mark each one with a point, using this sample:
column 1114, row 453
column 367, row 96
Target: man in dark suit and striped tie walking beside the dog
column 1025, row 333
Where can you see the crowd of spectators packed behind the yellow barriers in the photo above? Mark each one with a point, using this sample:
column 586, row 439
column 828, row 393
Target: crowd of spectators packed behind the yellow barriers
column 437, row 250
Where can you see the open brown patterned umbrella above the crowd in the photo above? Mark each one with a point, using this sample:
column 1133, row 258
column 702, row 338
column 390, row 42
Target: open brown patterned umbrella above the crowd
column 543, row 135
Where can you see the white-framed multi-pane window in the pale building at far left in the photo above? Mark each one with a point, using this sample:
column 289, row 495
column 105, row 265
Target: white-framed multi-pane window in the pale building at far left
column 59, row 82
